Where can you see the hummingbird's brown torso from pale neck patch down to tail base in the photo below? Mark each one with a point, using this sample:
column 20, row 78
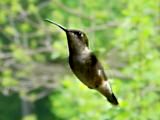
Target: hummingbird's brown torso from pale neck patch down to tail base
column 85, row 66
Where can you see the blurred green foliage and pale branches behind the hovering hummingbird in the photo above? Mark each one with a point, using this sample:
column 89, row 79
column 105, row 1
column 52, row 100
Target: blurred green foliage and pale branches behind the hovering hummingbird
column 36, row 82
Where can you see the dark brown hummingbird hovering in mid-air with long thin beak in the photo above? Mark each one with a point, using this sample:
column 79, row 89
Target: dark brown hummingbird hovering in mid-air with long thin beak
column 85, row 65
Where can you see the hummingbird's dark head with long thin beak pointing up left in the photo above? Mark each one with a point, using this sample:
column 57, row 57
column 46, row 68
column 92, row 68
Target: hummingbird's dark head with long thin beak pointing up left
column 77, row 40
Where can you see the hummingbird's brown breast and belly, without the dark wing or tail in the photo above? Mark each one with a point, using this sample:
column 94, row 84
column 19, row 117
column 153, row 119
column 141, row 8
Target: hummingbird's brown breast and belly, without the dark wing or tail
column 82, row 67
